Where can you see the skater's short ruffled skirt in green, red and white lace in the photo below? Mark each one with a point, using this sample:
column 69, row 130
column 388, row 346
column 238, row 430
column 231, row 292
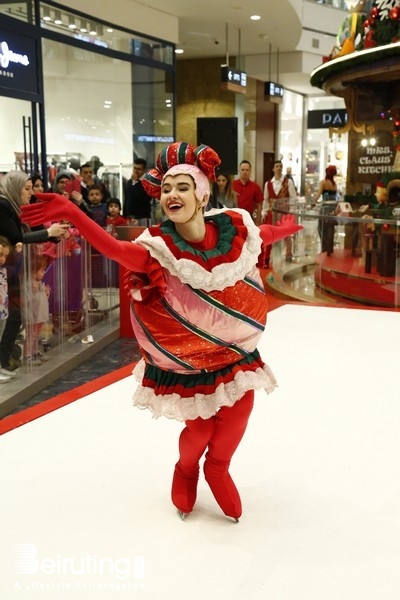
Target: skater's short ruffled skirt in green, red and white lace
column 184, row 397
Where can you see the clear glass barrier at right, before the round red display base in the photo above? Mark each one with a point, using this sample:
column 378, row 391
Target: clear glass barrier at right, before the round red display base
column 347, row 253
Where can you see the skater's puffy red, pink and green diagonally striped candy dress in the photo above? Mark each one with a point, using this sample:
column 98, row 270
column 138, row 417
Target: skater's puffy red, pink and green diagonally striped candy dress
column 198, row 315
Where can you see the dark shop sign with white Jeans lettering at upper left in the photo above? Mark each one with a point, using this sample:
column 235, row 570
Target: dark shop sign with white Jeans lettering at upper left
column 18, row 64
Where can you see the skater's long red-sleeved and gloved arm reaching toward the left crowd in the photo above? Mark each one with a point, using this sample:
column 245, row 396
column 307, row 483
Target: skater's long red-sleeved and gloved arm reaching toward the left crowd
column 53, row 207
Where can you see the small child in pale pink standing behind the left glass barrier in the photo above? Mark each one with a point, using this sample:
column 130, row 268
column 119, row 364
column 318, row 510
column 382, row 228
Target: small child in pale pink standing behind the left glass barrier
column 36, row 310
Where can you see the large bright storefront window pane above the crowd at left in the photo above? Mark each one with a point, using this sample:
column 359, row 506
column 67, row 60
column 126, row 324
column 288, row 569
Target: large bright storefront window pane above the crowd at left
column 88, row 107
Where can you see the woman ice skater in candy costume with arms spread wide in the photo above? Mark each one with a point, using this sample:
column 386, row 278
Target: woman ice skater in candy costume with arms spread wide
column 198, row 310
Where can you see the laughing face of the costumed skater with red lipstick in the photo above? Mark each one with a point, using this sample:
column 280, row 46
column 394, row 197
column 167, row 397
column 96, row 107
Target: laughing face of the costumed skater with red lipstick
column 178, row 199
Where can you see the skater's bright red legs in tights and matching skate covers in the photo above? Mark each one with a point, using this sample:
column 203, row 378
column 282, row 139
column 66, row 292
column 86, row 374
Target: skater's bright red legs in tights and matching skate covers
column 221, row 434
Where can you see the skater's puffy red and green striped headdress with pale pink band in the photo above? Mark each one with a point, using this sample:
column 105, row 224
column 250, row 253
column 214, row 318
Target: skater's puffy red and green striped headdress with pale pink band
column 181, row 157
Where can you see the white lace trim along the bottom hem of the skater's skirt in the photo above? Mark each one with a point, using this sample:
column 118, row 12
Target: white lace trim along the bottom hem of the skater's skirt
column 173, row 406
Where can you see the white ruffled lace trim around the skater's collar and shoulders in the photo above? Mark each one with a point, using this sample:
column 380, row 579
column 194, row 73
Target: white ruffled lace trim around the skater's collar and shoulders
column 190, row 272
